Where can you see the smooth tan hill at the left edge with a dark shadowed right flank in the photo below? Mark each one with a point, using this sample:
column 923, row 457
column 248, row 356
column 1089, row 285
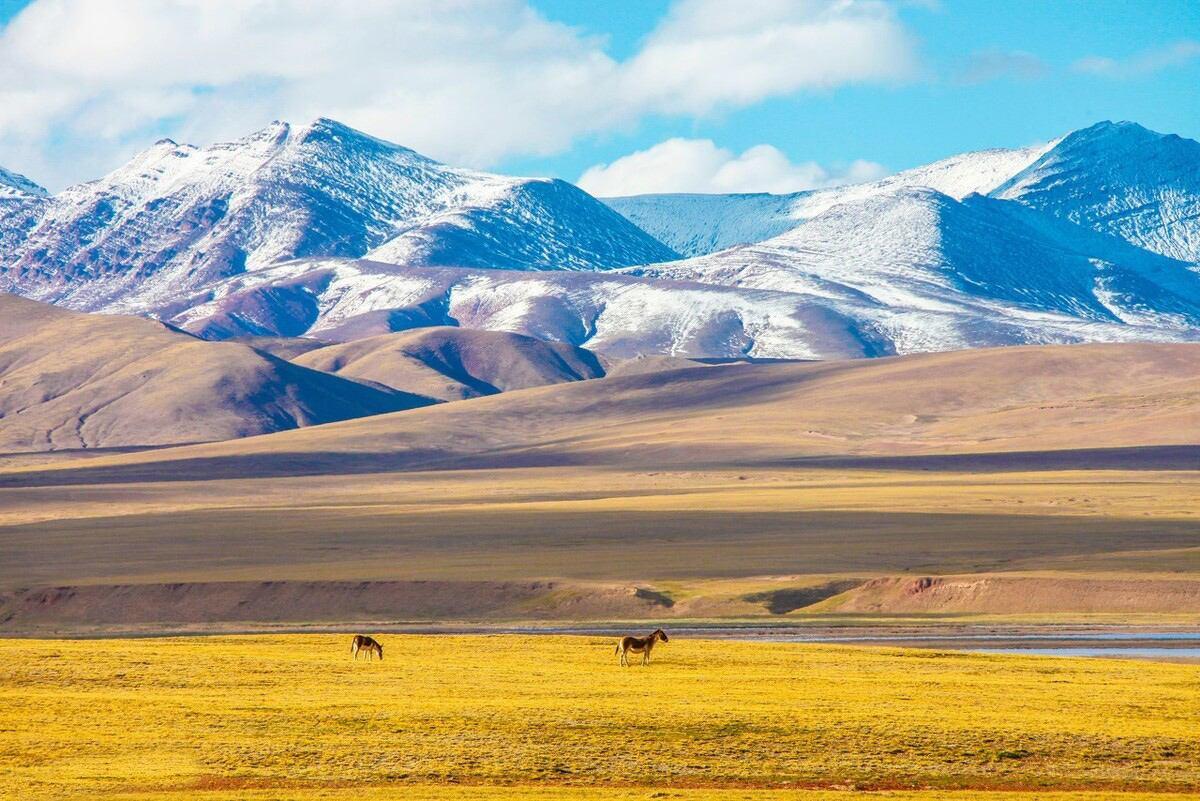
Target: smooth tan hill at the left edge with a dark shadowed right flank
column 71, row 381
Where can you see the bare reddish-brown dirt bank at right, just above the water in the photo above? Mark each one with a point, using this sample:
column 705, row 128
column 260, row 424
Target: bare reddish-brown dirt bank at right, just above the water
column 1019, row 594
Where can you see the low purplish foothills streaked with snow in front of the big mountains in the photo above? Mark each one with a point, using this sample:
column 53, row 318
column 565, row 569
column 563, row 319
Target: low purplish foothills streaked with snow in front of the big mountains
column 616, row 315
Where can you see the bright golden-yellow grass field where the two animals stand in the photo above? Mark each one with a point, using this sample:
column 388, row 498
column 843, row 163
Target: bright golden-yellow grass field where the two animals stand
column 523, row 718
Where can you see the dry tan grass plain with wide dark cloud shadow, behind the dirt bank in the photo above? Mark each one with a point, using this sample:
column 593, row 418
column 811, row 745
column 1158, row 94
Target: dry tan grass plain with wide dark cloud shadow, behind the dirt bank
column 598, row 525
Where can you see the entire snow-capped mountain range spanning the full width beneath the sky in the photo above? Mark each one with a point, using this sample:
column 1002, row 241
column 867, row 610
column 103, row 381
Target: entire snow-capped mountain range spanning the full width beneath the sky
column 1090, row 238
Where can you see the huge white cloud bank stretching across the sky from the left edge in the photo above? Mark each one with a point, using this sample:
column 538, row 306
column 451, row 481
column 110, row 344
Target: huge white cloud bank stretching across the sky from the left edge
column 83, row 83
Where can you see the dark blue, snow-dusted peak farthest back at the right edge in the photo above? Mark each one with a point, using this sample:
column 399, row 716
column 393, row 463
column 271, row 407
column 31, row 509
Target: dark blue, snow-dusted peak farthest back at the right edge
column 1121, row 179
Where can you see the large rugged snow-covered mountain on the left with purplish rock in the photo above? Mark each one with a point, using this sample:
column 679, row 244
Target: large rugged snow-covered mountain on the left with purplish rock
column 177, row 218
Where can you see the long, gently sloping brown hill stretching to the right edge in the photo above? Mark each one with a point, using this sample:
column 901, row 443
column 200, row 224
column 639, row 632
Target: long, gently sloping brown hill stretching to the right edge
column 923, row 411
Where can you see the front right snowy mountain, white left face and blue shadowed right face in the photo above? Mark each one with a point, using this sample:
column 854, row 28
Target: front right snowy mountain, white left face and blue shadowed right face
column 920, row 250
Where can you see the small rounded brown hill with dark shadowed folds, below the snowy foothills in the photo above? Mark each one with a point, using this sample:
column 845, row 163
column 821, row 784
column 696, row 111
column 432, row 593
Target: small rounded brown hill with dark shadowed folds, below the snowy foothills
column 454, row 364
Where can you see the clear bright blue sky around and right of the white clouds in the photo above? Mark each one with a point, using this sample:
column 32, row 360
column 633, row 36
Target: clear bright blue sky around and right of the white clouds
column 941, row 113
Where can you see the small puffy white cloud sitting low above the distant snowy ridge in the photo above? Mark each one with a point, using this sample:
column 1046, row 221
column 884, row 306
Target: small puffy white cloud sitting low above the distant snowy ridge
column 700, row 166
